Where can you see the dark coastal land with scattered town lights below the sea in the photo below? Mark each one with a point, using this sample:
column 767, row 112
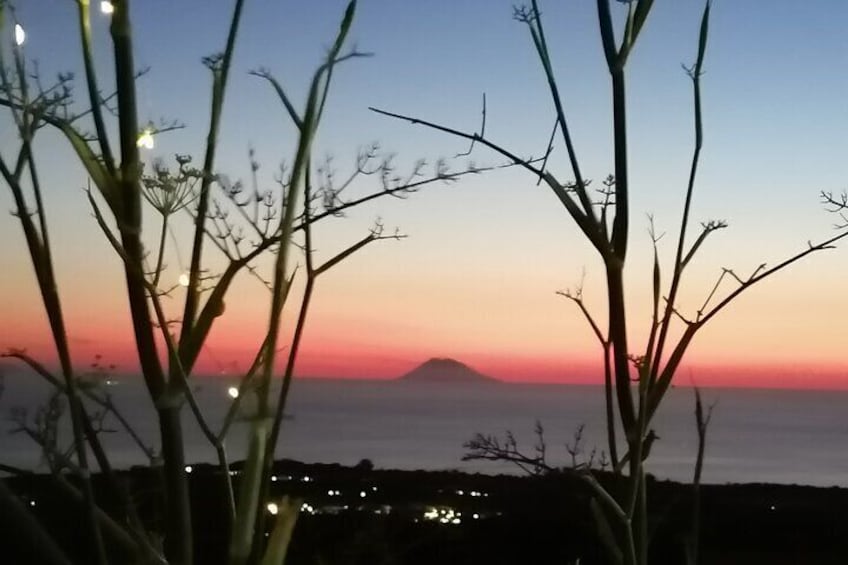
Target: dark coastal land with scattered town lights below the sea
column 407, row 517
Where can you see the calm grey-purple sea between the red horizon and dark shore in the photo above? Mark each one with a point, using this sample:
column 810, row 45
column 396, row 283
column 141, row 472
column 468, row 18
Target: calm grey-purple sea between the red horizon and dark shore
column 778, row 436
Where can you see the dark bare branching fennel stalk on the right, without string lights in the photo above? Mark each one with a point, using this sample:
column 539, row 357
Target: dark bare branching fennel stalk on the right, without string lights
column 637, row 379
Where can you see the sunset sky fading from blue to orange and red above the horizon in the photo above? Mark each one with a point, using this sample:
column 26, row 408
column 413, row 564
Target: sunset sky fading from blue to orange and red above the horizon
column 476, row 277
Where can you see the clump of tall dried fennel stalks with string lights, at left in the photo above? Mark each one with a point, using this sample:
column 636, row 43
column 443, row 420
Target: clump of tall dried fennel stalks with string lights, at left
column 244, row 225
